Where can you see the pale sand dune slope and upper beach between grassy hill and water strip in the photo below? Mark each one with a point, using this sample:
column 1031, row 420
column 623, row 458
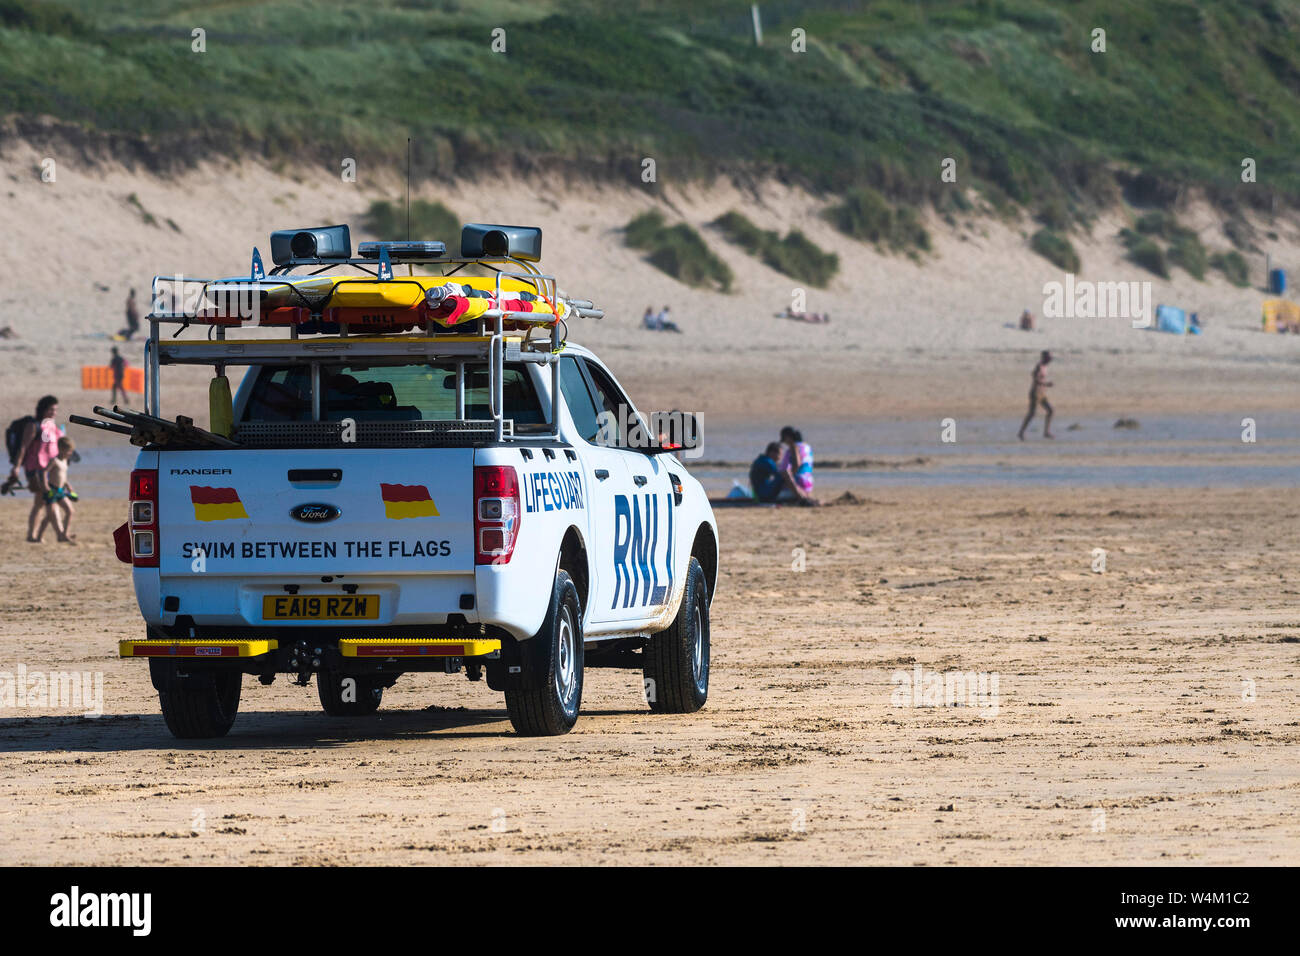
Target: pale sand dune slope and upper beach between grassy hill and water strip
column 911, row 339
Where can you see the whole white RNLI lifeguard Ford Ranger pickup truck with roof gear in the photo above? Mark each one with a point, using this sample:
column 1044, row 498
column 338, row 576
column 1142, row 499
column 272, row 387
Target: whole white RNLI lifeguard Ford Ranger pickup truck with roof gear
column 418, row 501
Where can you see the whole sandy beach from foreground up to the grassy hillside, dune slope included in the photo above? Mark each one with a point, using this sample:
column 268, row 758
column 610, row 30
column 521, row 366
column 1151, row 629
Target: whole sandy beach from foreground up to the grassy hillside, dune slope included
column 1146, row 715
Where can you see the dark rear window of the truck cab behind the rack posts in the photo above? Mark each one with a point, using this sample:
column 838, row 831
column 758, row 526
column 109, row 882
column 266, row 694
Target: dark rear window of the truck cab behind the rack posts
column 419, row 392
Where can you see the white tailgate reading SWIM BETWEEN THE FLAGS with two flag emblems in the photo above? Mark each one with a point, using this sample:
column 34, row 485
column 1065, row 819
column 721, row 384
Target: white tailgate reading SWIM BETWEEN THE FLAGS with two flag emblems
column 326, row 512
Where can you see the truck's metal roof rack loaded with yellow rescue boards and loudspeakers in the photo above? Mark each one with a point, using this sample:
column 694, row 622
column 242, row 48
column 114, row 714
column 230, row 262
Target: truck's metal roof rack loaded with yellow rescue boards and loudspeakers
column 504, row 250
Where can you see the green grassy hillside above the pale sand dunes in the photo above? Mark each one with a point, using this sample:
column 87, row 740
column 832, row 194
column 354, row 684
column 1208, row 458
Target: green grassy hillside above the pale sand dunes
column 1012, row 90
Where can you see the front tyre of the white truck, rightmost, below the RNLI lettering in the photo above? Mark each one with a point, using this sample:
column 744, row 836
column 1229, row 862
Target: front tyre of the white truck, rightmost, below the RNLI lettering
column 677, row 661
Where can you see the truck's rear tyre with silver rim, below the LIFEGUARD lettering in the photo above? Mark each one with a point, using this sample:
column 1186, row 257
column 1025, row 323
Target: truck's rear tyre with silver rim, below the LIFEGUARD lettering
column 549, row 703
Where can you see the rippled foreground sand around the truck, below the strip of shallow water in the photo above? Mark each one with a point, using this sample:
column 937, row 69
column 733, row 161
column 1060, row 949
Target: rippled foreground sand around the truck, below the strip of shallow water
column 1150, row 715
